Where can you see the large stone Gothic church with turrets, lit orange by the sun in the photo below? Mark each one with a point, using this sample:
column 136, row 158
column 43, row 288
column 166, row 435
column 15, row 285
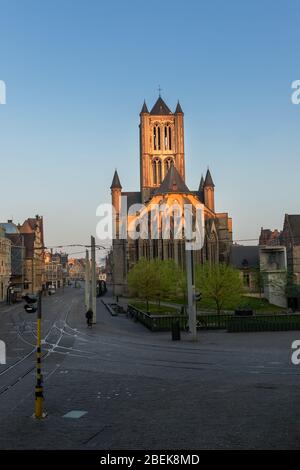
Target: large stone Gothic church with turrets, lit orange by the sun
column 162, row 181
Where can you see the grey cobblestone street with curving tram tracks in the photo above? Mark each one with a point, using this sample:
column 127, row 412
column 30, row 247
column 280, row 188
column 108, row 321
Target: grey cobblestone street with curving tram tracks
column 140, row 390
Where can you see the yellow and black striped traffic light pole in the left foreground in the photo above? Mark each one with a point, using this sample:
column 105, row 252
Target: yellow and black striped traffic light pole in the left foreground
column 39, row 398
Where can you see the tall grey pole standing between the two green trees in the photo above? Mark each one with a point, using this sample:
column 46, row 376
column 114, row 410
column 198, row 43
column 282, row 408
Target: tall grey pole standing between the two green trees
column 190, row 274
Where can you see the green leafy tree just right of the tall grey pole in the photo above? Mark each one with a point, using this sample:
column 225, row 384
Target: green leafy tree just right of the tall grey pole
column 220, row 283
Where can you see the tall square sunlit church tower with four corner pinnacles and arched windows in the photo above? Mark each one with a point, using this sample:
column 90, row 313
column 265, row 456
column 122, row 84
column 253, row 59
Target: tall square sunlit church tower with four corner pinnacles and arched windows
column 161, row 145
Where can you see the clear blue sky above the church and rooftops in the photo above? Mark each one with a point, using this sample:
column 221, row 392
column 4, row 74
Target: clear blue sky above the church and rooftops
column 77, row 73
